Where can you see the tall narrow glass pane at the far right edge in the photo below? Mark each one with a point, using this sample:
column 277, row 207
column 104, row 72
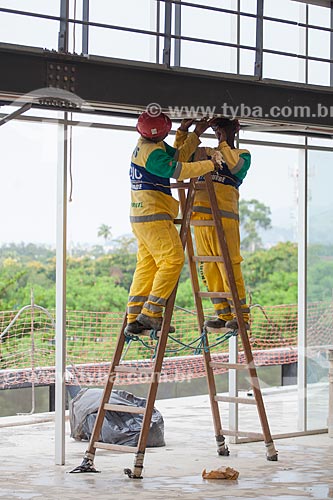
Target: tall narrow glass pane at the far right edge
column 319, row 285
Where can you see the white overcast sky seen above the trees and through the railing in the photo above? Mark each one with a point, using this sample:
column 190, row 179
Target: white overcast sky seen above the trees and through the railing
column 101, row 158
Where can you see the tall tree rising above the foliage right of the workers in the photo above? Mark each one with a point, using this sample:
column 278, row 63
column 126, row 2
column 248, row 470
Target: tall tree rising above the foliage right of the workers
column 254, row 215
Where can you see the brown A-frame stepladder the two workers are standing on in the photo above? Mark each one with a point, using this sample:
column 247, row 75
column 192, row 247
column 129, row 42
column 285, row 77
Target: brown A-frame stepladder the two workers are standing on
column 186, row 204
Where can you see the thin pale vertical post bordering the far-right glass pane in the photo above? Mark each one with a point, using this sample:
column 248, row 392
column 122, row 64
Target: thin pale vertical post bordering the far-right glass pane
column 302, row 288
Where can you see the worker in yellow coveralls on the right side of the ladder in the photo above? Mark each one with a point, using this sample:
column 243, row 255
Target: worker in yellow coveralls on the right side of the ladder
column 227, row 179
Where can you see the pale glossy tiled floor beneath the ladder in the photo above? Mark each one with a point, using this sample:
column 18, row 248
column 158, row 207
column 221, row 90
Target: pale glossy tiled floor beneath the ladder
column 304, row 469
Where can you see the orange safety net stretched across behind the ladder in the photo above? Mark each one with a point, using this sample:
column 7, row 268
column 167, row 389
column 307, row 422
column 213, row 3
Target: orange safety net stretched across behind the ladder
column 27, row 348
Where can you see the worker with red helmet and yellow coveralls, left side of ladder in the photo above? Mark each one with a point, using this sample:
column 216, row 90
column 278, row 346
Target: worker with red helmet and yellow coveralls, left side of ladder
column 160, row 256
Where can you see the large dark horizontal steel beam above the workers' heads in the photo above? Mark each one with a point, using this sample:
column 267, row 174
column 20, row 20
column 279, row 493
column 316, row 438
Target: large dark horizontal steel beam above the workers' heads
column 104, row 82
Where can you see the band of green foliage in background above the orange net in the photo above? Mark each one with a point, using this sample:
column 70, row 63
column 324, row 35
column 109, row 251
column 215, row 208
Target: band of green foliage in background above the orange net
column 100, row 281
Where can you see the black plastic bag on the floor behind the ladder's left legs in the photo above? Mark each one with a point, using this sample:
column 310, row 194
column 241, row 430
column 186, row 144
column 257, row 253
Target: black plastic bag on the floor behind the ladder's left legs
column 118, row 427
